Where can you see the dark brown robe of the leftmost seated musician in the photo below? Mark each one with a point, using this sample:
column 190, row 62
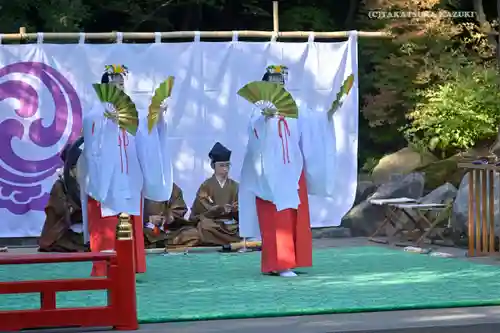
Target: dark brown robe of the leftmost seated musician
column 60, row 213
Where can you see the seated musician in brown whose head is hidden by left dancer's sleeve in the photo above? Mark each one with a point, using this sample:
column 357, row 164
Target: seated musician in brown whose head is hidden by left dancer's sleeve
column 164, row 219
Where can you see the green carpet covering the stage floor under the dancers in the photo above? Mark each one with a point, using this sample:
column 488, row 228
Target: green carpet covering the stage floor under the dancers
column 217, row 286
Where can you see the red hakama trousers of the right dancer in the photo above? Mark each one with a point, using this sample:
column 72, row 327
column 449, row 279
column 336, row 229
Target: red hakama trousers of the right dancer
column 286, row 235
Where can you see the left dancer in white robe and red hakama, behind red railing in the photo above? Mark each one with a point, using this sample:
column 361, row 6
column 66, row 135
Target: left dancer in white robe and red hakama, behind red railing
column 112, row 179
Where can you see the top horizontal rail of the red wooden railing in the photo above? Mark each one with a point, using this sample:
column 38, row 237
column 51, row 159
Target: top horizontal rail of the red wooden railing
column 46, row 258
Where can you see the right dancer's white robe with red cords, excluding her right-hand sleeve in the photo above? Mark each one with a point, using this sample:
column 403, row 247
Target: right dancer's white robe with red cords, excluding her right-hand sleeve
column 271, row 169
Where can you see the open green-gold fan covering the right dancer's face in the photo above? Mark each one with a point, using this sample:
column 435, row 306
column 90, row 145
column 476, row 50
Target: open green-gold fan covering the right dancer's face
column 269, row 95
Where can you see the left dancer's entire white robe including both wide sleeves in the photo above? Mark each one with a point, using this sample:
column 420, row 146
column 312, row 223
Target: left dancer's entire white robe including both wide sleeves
column 100, row 166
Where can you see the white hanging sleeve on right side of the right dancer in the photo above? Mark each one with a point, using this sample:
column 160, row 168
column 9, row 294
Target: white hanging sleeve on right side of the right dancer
column 320, row 152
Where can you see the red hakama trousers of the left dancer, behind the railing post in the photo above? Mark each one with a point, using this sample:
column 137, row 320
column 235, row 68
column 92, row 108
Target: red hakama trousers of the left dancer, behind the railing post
column 102, row 232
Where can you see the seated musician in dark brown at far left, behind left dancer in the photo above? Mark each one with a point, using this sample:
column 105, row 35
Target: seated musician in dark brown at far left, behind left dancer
column 62, row 231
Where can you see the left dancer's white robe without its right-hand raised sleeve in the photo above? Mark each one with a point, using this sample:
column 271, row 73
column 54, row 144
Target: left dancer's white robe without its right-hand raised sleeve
column 108, row 168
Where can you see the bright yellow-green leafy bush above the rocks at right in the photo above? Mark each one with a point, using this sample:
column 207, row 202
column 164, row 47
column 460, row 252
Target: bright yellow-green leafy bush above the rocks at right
column 458, row 113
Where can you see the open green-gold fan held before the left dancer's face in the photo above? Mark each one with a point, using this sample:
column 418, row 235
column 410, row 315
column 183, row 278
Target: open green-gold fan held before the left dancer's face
column 125, row 113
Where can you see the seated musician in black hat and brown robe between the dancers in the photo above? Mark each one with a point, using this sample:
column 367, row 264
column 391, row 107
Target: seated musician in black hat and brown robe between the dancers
column 215, row 208
